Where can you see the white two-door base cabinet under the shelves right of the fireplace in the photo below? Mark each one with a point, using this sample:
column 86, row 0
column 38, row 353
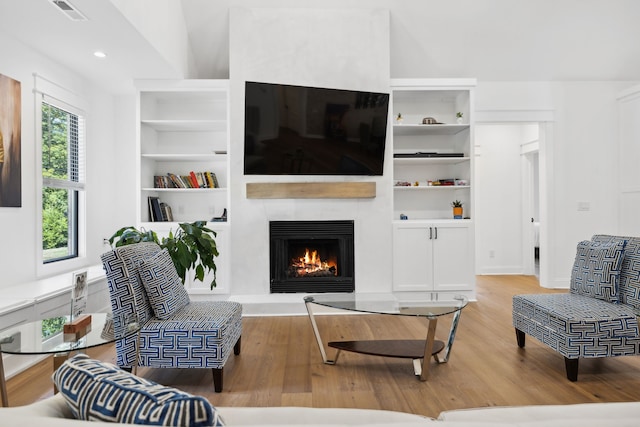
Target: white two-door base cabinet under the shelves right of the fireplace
column 433, row 256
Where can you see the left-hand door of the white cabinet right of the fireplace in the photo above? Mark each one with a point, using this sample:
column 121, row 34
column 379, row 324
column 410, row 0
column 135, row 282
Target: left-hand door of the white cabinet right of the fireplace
column 412, row 258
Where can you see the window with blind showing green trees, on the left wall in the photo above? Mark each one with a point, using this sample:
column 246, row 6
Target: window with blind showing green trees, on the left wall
column 62, row 180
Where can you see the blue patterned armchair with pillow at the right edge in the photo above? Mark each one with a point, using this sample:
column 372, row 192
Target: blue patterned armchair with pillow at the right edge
column 598, row 317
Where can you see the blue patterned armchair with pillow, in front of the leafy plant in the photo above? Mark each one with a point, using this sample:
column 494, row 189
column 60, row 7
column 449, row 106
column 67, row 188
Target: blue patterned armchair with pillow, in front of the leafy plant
column 174, row 332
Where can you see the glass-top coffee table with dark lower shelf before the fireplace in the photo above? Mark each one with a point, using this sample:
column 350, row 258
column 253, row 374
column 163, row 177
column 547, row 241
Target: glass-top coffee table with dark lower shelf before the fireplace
column 400, row 304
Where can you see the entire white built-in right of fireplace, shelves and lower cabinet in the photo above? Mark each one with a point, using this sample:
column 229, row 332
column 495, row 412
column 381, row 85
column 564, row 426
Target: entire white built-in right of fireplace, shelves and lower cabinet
column 433, row 252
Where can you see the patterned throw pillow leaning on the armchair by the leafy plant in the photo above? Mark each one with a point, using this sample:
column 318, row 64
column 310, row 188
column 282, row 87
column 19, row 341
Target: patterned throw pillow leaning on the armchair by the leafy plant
column 164, row 288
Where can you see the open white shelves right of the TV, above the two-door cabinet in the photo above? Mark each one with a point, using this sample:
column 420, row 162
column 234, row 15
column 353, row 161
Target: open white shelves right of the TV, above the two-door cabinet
column 433, row 162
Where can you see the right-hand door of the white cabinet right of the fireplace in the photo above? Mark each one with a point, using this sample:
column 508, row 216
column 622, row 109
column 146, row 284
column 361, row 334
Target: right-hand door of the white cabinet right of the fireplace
column 452, row 259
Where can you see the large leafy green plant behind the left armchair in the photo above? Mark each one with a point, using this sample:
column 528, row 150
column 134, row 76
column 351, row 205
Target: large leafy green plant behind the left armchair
column 192, row 246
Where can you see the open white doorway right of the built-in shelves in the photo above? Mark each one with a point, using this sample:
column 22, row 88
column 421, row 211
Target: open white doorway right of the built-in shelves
column 509, row 223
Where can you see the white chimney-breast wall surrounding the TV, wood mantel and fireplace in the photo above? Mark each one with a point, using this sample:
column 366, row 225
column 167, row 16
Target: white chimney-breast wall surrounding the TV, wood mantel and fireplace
column 346, row 49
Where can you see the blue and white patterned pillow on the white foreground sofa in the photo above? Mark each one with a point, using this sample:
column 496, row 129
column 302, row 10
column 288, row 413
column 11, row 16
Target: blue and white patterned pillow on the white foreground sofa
column 99, row 391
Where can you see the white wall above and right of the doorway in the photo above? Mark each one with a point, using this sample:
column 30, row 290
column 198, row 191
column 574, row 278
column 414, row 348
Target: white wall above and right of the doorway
column 579, row 156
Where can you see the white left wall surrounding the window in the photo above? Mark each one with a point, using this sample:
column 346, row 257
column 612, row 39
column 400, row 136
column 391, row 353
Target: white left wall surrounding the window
column 18, row 246
